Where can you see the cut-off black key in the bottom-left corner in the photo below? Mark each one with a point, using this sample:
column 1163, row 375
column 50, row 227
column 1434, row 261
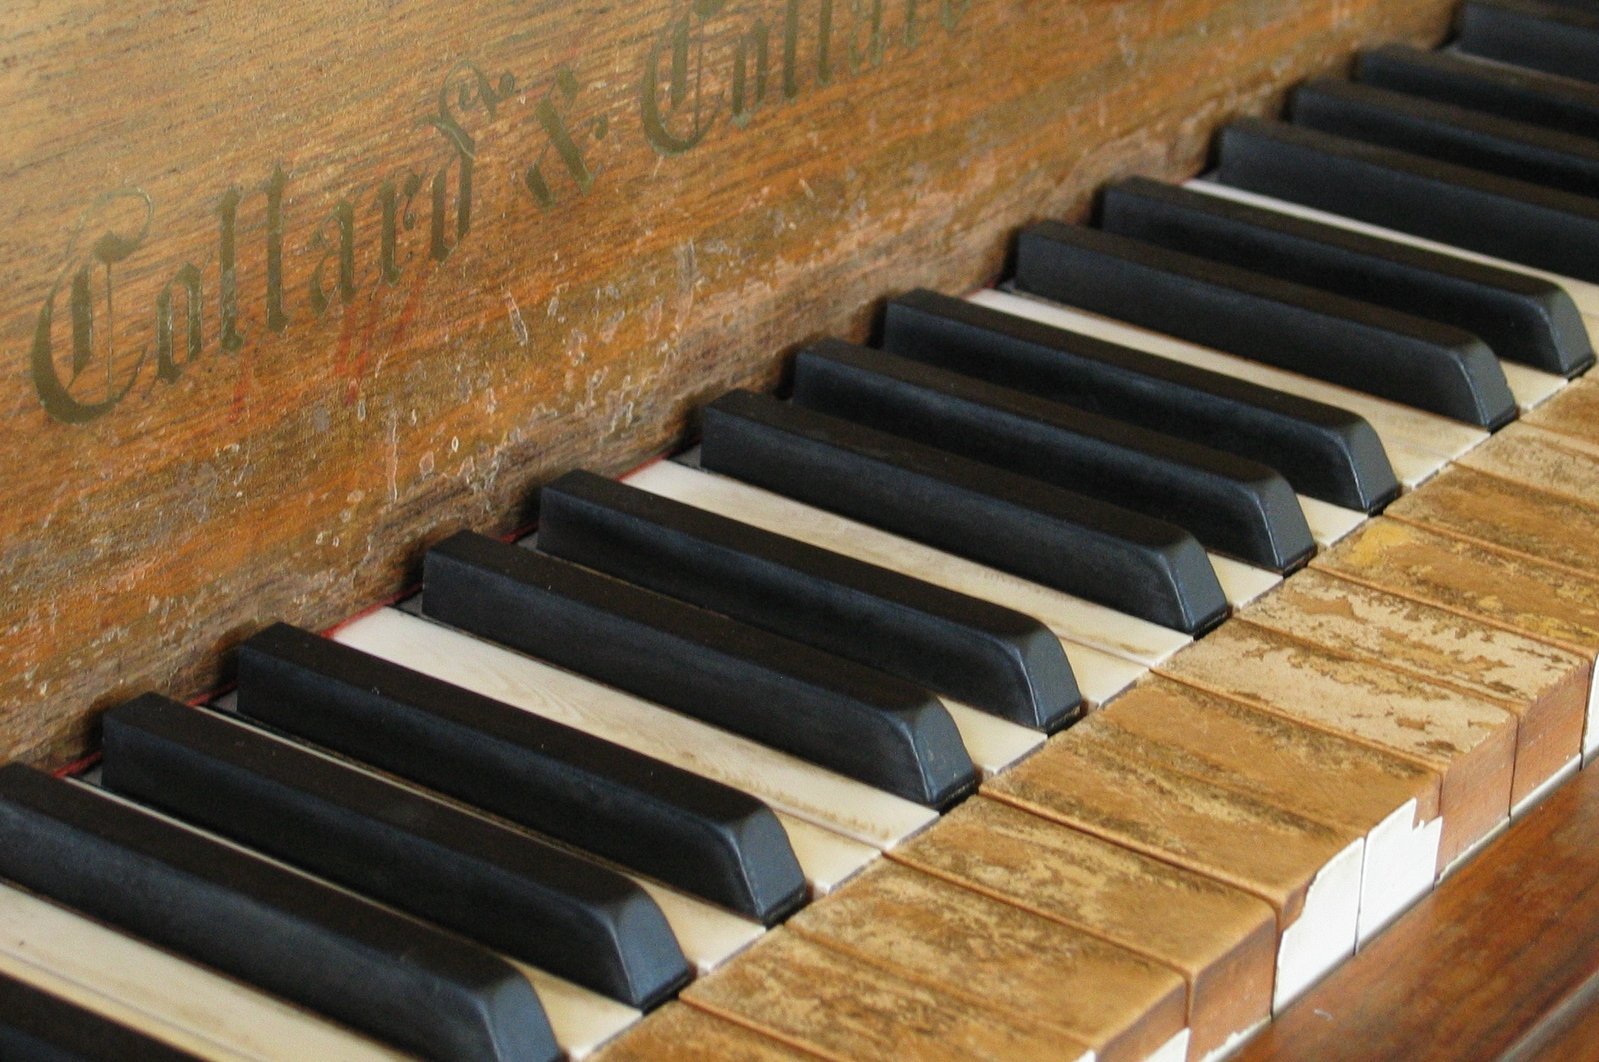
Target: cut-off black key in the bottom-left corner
column 42, row 1028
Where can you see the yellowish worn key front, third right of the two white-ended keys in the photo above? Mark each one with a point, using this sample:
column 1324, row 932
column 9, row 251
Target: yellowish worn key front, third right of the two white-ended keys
column 1502, row 589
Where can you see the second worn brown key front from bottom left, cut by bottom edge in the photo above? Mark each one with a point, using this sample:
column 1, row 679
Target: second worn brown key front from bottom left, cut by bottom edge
column 834, row 1005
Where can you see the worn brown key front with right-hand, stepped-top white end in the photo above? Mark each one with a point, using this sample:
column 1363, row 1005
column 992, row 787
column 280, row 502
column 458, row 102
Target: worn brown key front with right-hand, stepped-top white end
column 1390, row 800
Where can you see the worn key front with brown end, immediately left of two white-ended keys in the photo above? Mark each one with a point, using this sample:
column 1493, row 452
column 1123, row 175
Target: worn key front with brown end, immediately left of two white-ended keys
column 1221, row 940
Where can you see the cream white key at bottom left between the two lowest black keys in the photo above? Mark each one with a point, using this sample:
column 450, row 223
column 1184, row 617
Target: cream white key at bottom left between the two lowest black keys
column 159, row 994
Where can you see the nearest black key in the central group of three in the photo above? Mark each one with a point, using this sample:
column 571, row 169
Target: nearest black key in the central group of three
column 1083, row 546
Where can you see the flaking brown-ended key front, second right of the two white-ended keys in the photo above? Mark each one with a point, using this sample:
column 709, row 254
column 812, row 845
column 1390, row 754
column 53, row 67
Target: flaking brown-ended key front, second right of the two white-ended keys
column 1544, row 685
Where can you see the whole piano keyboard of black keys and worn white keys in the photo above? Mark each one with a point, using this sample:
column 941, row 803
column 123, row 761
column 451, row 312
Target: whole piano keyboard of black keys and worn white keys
column 1083, row 673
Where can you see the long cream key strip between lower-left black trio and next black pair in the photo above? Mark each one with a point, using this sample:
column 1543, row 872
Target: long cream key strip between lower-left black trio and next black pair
column 788, row 783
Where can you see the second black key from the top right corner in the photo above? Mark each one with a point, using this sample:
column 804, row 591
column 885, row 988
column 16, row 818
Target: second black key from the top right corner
column 1507, row 92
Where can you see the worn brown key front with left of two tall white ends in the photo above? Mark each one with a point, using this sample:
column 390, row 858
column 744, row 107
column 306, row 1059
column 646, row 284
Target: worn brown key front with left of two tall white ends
column 1310, row 872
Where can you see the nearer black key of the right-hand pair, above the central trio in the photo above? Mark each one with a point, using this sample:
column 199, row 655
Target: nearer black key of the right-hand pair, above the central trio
column 1355, row 345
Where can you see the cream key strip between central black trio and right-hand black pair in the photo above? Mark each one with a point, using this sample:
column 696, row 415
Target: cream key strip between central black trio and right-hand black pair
column 1419, row 444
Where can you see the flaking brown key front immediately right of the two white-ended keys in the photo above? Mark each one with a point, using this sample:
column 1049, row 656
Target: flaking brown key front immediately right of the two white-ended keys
column 1469, row 741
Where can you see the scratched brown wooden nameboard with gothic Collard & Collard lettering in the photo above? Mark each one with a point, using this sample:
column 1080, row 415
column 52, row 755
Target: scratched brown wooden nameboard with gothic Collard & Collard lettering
column 289, row 292
